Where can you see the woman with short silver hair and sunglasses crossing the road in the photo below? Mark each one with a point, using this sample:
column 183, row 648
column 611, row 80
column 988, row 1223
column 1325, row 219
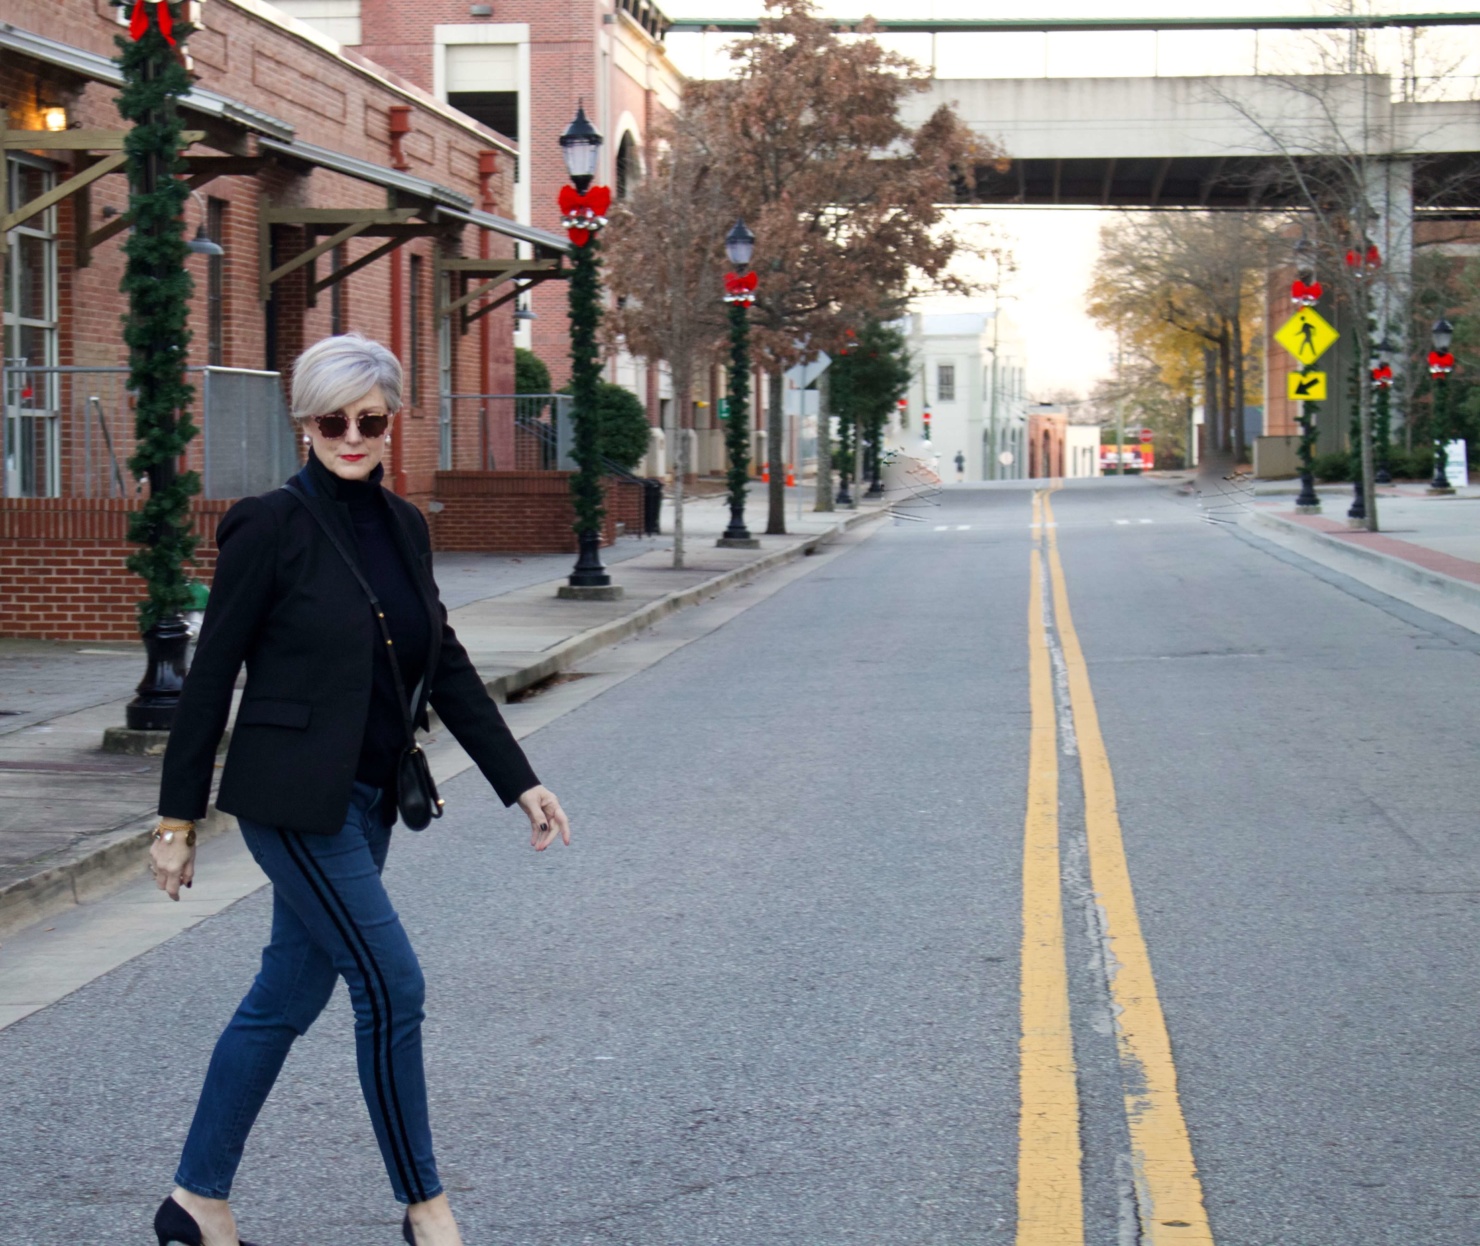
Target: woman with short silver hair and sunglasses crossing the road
column 312, row 779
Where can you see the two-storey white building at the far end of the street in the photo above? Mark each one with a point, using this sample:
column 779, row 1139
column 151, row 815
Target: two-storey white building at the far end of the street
column 970, row 374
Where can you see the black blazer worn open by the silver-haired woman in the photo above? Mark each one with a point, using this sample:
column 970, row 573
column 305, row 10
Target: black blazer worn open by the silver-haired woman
column 285, row 603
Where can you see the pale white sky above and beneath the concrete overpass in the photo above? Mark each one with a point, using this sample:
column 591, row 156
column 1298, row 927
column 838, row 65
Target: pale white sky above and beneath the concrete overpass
column 1056, row 248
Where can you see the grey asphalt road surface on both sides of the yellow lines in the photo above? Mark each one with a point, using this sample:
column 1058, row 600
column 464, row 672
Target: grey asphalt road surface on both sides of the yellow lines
column 772, row 995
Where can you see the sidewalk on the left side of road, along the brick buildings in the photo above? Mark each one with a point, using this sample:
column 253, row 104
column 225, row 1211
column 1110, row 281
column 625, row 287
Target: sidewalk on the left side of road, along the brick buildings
column 75, row 821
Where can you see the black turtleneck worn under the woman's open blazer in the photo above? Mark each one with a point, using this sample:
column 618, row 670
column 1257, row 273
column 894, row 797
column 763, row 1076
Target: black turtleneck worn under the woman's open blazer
column 405, row 615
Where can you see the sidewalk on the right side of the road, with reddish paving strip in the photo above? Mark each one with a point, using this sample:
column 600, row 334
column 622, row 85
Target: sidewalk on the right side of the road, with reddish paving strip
column 1424, row 541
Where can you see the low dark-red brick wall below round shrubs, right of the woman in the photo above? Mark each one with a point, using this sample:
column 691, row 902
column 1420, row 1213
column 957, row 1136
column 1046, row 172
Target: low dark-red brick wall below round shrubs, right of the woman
column 523, row 513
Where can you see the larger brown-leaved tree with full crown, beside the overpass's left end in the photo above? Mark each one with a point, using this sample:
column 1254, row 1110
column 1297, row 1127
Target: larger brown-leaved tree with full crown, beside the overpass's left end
column 846, row 201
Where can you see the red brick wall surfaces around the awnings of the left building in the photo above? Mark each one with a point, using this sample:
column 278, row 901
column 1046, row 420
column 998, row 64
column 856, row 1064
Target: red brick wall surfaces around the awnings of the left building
column 334, row 103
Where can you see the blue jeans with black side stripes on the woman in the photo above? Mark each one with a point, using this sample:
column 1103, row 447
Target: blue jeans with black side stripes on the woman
column 331, row 920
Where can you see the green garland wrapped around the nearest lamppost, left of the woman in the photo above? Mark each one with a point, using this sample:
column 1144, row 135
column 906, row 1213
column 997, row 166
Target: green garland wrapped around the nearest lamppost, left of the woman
column 159, row 291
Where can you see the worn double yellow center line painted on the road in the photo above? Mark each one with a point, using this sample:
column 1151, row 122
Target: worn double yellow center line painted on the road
column 1168, row 1192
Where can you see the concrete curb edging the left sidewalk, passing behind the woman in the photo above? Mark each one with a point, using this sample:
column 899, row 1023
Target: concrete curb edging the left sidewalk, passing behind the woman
column 124, row 856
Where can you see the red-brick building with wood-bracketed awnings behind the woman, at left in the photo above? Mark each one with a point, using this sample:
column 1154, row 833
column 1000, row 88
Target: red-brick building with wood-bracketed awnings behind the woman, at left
column 343, row 196
